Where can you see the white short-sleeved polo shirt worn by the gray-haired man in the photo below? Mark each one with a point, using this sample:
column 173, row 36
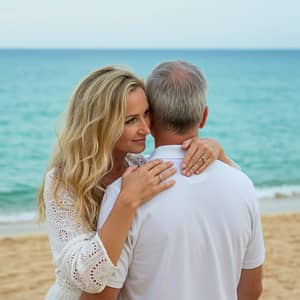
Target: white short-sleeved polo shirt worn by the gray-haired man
column 191, row 241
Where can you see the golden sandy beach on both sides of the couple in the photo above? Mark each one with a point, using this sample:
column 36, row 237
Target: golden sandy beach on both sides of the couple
column 26, row 268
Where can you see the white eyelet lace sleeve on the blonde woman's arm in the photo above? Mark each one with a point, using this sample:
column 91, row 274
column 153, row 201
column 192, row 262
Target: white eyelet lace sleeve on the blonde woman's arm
column 79, row 256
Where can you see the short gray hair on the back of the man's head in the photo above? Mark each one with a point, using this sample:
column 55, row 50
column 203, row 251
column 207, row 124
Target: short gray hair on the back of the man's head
column 176, row 91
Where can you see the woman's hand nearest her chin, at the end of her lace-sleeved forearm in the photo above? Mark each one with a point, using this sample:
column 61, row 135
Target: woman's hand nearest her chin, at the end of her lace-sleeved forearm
column 140, row 184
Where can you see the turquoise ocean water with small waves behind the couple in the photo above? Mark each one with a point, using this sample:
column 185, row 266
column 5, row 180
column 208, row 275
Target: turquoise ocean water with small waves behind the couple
column 254, row 111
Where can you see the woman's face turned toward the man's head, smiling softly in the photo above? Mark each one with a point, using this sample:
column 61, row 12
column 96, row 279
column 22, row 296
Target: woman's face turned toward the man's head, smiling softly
column 137, row 123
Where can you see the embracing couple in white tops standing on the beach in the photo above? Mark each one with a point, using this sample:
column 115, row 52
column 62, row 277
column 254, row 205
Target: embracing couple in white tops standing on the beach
column 184, row 224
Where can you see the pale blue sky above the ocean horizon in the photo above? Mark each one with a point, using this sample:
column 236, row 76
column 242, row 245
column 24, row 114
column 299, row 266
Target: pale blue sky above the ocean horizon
column 150, row 24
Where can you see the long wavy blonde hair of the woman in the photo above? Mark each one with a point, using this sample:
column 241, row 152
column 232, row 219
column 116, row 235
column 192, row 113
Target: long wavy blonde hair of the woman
column 83, row 153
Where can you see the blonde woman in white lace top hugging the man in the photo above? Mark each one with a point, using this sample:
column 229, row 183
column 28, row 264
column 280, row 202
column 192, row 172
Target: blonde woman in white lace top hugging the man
column 84, row 163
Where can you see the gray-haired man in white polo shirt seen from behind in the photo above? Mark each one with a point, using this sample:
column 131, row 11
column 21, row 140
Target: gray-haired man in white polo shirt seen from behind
column 202, row 238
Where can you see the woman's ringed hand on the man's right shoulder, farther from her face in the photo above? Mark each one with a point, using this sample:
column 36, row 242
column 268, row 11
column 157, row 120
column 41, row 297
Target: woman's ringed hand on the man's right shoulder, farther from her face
column 200, row 154
